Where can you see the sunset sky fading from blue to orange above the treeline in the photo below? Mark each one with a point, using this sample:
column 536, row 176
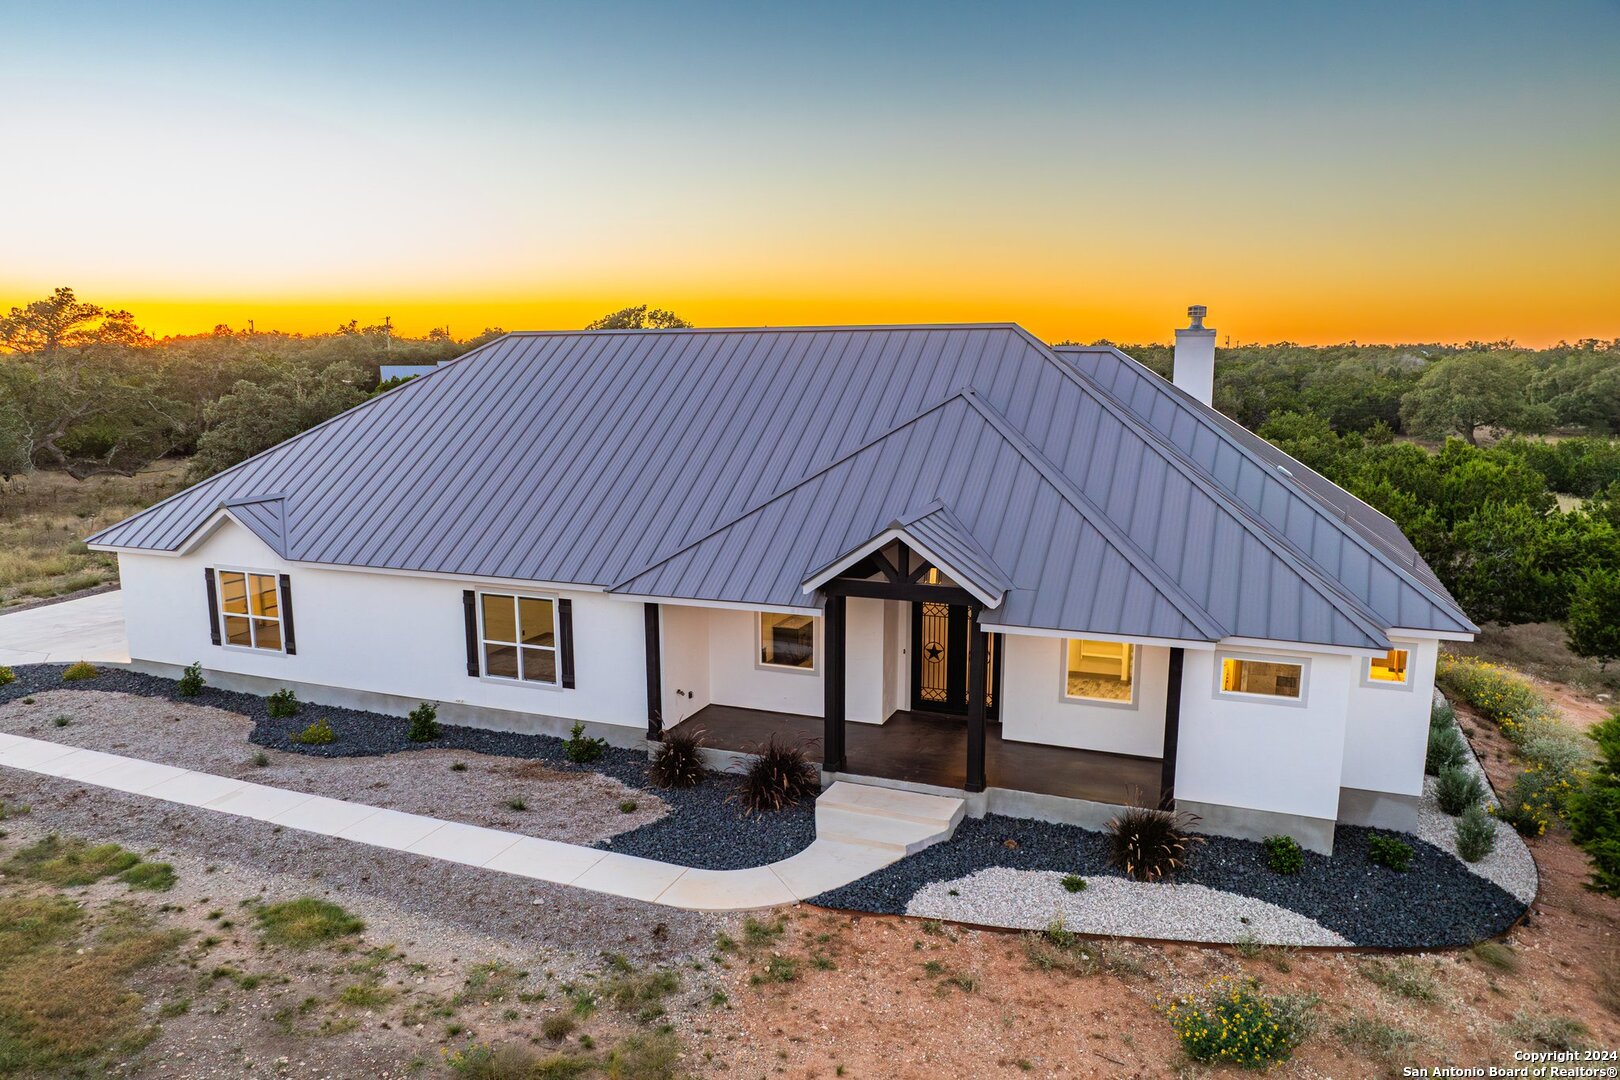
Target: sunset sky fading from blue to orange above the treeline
column 1311, row 172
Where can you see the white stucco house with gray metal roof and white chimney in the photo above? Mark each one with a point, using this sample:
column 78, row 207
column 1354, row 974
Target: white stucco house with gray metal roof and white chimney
column 957, row 558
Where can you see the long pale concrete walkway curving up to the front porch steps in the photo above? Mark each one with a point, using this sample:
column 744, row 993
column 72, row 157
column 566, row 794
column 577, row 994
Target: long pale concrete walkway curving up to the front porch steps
column 859, row 830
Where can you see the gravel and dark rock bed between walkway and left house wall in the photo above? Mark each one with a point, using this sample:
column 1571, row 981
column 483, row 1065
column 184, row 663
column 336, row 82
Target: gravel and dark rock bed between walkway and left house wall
column 561, row 799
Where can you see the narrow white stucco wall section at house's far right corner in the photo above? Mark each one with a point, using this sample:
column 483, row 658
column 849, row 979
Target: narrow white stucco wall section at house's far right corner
column 1388, row 728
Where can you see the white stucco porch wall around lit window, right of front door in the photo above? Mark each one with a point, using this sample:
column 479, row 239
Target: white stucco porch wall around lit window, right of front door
column 1034, row 710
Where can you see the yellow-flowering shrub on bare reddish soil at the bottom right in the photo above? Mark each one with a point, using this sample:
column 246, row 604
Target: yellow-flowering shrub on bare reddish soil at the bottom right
column 1234, row 1024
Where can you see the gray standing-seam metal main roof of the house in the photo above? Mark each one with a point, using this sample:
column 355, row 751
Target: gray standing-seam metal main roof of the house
column 728, row 466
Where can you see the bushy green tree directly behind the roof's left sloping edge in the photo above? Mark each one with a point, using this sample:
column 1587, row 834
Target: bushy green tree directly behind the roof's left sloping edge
column 255, row 417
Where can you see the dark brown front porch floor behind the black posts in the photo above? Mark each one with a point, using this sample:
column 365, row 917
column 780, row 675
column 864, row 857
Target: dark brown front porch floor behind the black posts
column 931, row 750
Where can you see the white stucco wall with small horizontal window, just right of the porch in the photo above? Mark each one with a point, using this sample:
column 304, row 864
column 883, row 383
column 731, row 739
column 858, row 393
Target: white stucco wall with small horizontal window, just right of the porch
column 1258, row 754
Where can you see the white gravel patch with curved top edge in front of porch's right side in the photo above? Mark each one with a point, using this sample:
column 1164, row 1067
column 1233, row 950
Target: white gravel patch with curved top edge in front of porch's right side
column 1112, row 906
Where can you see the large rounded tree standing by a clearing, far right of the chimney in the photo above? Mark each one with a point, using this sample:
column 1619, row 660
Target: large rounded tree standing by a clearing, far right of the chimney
column 1472, row 391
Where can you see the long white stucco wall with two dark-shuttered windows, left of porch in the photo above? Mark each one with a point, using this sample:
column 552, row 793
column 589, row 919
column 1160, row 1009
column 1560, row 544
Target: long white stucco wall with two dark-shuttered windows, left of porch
column 385, row 634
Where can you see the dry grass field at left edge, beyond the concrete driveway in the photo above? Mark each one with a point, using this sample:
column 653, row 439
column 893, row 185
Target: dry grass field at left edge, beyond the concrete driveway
column 45, row 519
